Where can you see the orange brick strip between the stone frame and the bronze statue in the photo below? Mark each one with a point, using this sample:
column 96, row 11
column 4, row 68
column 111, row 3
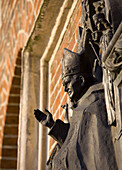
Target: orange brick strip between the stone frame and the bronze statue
column 57, row 95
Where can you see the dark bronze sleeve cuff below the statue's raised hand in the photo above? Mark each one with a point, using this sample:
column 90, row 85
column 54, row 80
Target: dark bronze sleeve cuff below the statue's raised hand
column 59, row 131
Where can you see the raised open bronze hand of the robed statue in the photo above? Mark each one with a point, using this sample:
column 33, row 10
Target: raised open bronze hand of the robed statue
column 46, row 118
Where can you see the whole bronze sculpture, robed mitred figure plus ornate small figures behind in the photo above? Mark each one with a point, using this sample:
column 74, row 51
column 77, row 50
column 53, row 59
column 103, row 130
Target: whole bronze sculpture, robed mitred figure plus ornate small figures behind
column 92, row 77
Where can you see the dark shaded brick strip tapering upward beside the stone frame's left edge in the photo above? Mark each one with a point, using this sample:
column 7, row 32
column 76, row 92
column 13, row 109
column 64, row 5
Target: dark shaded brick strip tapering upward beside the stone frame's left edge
column 10, row 136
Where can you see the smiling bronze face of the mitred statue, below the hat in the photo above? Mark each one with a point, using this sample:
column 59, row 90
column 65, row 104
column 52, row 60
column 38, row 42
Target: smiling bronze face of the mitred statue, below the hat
column 73, row 86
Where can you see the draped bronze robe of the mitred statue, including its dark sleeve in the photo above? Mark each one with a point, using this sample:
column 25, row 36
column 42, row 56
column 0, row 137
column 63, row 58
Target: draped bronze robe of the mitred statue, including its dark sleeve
column 87, row 139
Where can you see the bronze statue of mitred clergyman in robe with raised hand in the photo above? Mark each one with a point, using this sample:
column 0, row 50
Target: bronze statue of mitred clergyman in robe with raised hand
column 86, row 139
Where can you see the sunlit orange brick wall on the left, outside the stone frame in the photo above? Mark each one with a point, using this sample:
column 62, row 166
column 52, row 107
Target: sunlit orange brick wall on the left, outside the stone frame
column 17, row 18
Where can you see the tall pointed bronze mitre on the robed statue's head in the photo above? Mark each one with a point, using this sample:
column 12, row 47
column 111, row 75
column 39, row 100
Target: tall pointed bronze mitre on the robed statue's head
column 75, row 63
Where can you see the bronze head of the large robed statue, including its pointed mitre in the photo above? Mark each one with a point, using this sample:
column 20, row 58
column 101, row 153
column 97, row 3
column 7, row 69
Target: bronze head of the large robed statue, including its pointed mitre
column 76, row 69
